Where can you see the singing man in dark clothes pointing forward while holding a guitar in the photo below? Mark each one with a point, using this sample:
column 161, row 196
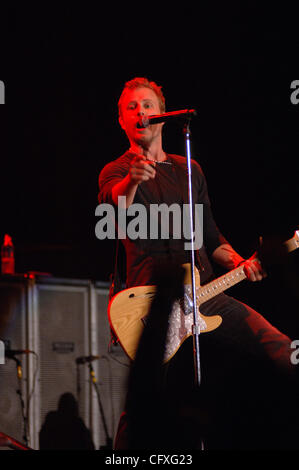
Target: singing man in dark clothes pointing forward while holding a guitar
column 245, row 343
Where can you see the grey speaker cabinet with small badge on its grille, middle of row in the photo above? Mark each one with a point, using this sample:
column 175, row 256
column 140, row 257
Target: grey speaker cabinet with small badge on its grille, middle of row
column 61, row 321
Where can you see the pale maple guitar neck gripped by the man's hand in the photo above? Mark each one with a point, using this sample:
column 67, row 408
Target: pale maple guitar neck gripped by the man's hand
column 235, row 276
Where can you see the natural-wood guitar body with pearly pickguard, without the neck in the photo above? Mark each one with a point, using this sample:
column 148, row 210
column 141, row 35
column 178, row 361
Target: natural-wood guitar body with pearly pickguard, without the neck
column 128, row 310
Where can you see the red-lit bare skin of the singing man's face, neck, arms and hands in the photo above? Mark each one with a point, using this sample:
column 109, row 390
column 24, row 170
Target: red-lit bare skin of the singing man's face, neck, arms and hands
column 146, row 144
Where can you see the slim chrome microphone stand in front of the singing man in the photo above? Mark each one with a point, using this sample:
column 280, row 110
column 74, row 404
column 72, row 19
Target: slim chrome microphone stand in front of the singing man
column 196, row 325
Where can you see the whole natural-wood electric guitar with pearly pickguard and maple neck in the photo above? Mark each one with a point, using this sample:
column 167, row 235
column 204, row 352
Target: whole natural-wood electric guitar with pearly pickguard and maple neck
column 129, row 308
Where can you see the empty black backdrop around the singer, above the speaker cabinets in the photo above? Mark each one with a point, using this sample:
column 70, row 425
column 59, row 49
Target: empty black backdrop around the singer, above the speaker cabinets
column 64, row 68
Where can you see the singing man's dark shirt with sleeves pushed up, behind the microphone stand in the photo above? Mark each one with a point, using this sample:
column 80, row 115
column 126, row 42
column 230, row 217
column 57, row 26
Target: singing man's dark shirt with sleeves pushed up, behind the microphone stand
column 170, row 186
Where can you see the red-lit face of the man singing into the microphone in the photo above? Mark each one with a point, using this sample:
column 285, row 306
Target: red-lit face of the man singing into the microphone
column 135, row 104
